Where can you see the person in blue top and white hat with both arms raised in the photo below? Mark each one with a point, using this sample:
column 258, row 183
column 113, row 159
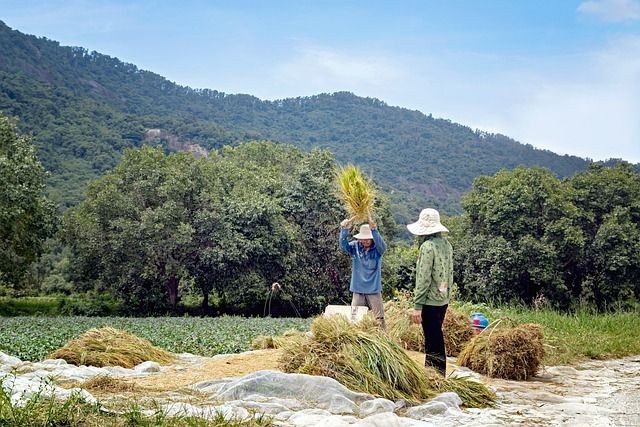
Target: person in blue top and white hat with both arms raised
column 366, row 266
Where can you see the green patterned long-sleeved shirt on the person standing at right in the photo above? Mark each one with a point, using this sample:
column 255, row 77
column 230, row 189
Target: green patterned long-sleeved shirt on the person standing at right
column 434, row 272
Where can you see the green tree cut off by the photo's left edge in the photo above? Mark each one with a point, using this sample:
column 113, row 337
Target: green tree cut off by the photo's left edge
column 27, row 218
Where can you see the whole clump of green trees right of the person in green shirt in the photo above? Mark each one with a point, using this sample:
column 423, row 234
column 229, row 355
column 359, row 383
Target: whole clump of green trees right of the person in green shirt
column 528, row 237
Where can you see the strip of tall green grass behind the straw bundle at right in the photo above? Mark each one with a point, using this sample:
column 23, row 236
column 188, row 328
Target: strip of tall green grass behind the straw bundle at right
column 575, row 337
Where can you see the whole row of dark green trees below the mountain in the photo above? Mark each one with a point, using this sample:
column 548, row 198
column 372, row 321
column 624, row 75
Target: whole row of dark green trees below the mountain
column 163, row 227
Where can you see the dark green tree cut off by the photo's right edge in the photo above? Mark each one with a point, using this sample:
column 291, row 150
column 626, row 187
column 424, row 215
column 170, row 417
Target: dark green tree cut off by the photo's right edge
column 608, row 201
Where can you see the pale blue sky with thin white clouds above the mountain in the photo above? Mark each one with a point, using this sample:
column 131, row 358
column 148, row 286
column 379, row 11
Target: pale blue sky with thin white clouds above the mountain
column 558, row 74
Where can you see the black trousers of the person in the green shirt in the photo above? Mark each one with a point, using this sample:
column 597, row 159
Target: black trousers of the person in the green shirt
column 432, row 319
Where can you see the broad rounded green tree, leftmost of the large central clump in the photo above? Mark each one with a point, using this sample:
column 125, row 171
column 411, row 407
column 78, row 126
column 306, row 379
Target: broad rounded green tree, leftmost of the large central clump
column 134, row 234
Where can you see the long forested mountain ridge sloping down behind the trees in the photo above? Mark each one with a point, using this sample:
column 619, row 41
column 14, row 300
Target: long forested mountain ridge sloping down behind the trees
column 84, row 108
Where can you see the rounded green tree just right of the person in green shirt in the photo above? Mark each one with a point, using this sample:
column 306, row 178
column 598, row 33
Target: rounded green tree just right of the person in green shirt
column 521, row 240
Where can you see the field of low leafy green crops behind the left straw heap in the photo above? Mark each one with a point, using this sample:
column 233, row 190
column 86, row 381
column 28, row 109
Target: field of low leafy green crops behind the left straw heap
column 33, row 338
